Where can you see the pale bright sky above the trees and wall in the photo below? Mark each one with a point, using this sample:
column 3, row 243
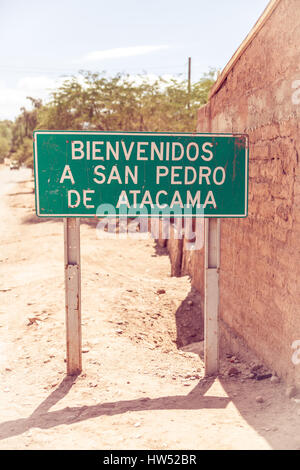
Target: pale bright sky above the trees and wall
column 43, row 42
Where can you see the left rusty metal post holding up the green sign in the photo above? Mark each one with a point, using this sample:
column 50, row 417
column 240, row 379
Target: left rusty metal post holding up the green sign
column 73, row 294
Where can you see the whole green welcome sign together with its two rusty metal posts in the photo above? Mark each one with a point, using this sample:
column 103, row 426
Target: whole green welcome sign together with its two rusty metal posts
column 160, row 175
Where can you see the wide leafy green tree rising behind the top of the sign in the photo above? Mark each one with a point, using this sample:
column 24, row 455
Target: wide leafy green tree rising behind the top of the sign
column 96, row 102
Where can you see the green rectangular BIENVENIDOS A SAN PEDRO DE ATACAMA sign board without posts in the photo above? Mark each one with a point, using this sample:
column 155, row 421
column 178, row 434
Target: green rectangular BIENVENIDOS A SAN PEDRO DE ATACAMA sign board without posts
column 87, row 174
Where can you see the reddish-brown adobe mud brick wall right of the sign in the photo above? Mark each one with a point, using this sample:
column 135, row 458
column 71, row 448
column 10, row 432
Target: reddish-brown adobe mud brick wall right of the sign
column 260, row 255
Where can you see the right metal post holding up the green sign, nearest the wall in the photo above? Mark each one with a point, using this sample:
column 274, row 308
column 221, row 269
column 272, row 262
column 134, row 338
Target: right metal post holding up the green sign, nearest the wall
column 211, row 301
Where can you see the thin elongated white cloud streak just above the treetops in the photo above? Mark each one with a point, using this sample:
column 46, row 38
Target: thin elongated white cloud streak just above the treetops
column 120, row 52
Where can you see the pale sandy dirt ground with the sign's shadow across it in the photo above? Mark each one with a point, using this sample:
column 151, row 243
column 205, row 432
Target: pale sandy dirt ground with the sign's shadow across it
column 138, row 389
